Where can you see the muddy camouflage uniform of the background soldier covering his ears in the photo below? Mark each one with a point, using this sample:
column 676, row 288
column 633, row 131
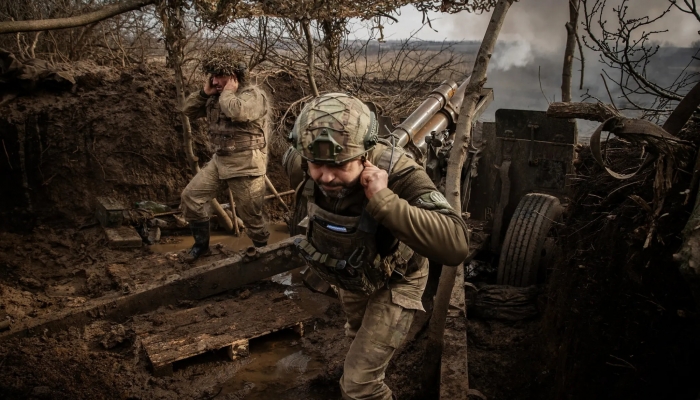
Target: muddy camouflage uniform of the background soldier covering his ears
column 239, row 129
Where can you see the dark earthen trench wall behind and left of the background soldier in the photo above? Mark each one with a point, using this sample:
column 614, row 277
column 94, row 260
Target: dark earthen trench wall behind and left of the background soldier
column 112, row 133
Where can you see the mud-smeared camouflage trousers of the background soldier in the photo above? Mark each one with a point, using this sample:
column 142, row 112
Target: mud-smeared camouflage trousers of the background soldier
column 248, row 193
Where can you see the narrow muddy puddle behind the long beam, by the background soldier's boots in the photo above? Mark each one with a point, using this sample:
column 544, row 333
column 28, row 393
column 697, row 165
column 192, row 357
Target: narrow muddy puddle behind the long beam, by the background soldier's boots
column 174, row 244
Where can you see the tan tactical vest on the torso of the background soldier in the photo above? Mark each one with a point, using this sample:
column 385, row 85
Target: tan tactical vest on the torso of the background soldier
column 230, row 136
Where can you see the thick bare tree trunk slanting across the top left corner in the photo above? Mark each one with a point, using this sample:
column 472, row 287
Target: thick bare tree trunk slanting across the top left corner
column 71, row 22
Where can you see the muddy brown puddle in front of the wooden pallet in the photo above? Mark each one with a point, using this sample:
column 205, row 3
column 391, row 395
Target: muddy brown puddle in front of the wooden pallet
column 278, row 365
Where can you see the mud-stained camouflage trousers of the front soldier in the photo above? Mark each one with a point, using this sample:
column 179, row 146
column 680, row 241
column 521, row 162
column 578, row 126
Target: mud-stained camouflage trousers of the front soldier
column 379, row 324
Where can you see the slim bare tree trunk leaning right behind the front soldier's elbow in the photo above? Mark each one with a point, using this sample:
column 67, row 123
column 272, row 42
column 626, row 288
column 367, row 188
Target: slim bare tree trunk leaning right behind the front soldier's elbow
column 436, row 328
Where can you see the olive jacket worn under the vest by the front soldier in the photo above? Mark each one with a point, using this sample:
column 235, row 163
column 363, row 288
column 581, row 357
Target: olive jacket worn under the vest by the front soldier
column 412, row 211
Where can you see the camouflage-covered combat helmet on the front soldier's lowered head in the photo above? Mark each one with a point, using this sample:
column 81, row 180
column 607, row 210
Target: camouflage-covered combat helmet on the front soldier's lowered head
column 334, row 128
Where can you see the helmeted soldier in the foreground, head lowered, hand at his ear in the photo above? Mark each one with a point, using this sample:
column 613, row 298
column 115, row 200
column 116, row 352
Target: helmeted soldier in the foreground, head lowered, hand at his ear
column 374, row 217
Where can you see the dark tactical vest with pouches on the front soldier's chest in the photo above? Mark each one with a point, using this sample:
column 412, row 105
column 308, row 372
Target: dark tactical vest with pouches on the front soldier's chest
column 343, row 250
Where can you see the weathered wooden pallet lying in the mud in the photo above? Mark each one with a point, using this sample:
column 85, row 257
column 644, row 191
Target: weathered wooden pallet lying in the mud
column 229, row 324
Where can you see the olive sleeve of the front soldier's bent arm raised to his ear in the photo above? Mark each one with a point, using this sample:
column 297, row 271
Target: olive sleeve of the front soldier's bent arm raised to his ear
column 419, row 215
